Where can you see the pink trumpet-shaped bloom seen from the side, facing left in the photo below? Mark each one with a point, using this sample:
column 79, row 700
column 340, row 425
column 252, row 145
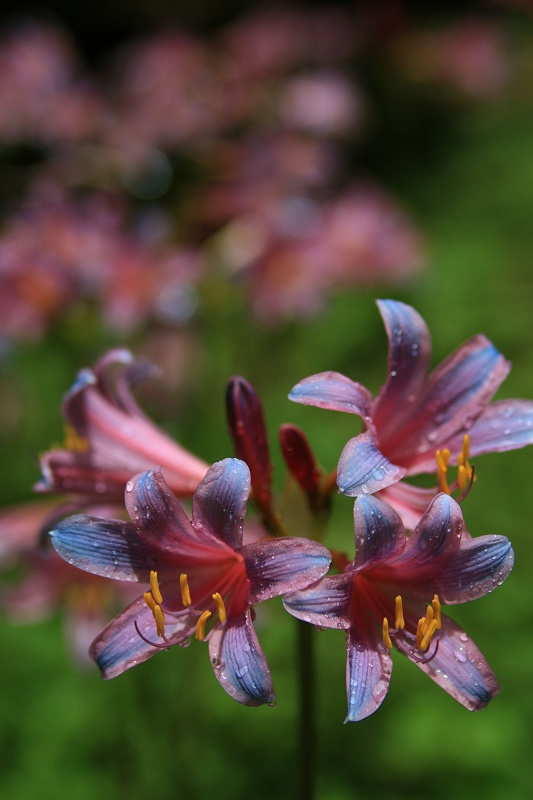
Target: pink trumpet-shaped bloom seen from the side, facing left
column 109, row 438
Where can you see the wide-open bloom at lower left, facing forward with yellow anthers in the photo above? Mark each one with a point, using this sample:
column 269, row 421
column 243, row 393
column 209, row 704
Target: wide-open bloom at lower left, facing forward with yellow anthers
column 199, row 572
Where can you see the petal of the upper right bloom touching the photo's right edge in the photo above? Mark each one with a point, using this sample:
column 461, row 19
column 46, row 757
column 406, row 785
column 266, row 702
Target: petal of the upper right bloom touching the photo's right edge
column 503, row 425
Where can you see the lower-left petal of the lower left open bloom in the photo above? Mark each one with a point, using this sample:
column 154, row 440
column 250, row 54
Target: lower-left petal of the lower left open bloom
column 119, row 647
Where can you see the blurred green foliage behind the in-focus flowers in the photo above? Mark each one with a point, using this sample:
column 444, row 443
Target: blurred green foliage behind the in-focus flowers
column 165, row 729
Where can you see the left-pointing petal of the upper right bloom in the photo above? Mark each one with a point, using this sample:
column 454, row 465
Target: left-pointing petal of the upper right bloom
column 335, row 392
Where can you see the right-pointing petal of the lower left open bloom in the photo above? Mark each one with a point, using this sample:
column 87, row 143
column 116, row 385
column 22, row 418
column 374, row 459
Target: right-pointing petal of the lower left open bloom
column 284, row 564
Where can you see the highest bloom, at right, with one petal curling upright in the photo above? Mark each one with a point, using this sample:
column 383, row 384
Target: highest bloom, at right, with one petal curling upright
column 417, row 423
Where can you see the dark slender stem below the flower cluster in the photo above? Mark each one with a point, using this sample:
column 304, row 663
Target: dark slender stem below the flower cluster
column 307, row 729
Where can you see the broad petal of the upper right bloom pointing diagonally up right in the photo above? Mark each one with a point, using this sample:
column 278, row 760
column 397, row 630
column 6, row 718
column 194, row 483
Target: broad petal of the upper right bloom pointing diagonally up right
column 455, row 395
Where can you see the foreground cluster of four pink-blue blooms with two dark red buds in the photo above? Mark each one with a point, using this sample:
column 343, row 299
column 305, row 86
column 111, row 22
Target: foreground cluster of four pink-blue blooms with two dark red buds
column 201, row 573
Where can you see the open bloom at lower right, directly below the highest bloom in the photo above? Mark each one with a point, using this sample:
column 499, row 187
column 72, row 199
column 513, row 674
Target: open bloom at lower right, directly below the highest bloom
column 380, row 597
